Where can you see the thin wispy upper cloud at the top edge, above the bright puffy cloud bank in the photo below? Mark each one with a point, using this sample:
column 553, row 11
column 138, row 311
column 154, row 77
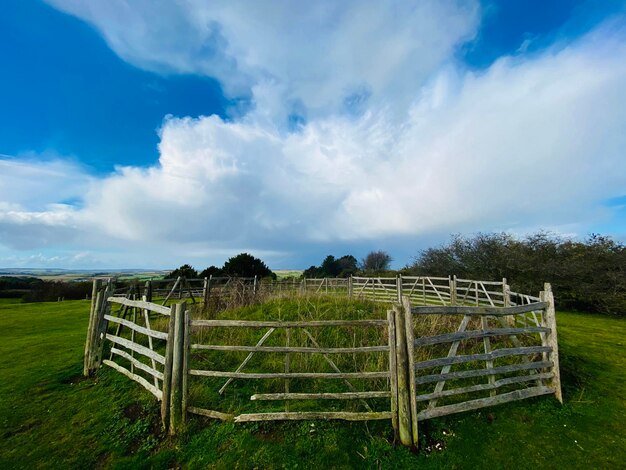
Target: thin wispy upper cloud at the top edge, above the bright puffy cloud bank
column 294, row 57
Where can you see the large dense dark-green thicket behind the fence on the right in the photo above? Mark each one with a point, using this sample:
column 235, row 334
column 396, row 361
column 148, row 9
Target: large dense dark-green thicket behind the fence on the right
column 588, row 275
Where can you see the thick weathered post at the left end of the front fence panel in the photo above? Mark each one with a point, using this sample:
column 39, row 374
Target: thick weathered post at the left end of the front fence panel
column 178, row 350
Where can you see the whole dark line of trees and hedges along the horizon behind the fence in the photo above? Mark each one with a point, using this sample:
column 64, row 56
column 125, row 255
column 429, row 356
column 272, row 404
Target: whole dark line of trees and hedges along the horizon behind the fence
column 587, row 275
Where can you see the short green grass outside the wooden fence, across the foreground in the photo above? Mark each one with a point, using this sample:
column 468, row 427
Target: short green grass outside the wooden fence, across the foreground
column 52, row 418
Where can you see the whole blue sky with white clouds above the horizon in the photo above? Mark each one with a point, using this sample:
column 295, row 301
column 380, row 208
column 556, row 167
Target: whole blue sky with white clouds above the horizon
column 149, row 134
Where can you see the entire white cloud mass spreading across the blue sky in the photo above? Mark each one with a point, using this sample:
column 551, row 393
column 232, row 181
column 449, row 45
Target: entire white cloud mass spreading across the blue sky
column 398, row 141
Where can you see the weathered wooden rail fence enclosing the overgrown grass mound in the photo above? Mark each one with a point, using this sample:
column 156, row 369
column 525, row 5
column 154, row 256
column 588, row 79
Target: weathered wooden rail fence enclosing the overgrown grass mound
column 503, row 348
